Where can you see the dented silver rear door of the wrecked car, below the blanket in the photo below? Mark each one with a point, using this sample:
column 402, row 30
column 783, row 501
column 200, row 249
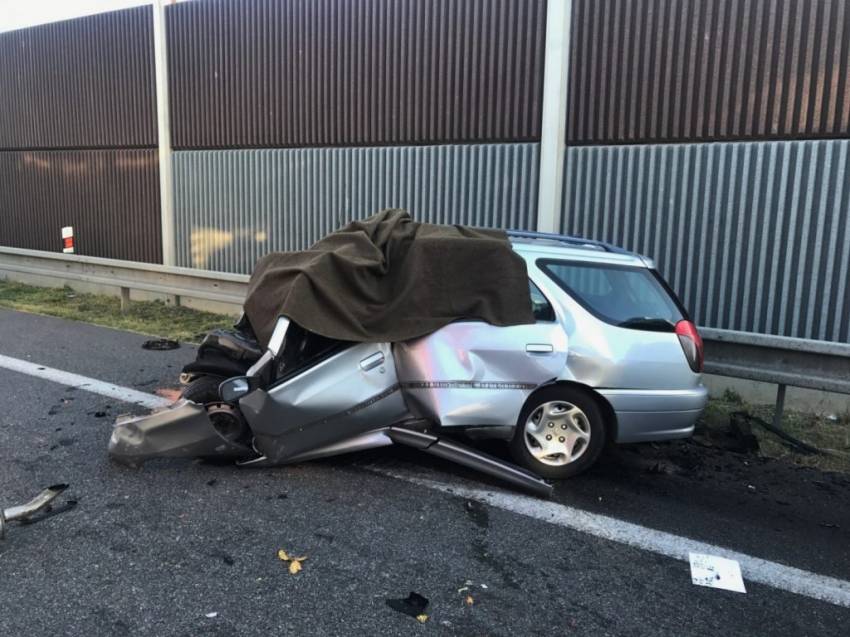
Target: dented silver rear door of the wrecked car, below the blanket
column 471, row 373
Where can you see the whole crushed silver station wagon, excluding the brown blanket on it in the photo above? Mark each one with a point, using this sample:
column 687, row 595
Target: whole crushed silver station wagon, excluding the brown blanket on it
column 610, row 355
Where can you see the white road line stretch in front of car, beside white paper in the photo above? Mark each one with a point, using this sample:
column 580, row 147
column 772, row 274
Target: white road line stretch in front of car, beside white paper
column 754, row 569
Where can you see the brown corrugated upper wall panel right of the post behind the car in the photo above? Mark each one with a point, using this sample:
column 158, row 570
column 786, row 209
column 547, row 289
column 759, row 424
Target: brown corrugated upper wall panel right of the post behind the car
column 688, row 70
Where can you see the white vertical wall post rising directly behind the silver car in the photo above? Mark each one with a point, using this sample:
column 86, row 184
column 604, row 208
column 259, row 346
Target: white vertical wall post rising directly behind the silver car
column 553, row 130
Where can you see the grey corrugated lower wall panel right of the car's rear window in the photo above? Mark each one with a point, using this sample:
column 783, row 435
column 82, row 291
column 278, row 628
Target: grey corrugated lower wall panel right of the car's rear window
column 755, row 236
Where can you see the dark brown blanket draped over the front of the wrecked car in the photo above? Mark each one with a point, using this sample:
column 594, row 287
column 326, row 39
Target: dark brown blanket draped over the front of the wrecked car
column 388, row 278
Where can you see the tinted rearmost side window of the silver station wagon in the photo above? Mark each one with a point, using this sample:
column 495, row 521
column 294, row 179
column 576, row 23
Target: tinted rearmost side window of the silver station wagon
column 625, row 296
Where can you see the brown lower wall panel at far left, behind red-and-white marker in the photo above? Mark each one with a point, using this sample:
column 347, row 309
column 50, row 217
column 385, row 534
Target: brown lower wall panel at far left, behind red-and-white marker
column 110, row 197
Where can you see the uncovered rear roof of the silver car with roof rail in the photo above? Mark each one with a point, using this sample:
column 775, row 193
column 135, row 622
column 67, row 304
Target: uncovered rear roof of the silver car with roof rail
column 575, row 249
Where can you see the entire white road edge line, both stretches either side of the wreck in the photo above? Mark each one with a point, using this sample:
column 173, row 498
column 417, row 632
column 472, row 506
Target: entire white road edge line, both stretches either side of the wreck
column 773, row 574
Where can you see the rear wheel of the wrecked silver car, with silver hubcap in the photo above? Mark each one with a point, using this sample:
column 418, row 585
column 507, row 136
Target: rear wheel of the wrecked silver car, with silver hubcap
column 553, row 411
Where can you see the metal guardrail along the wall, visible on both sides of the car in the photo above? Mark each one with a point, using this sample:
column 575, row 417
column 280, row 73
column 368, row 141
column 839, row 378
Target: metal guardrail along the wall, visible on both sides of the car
column 780, row 360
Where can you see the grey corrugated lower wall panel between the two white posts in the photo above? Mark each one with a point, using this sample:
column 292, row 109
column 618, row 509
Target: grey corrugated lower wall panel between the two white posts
column 232, row 206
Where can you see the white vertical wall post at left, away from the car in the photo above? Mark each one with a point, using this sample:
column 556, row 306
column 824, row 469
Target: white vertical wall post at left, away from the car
column 166, row 190
